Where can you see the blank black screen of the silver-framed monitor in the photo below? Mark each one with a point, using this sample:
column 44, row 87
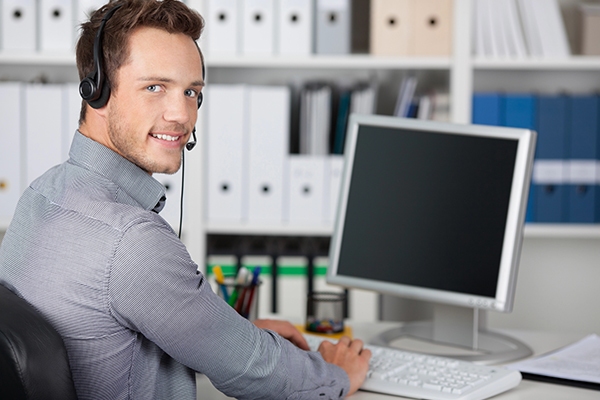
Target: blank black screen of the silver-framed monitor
column 427, row 209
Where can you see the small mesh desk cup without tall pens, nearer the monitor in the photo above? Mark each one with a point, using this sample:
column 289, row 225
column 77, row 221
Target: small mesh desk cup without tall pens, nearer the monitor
column 325, row 312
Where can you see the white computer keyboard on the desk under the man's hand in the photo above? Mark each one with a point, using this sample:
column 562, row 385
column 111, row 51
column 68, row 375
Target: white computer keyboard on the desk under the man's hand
column 421, row 376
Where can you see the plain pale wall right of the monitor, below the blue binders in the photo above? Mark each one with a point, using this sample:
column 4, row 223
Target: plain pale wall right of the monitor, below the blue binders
column 558, row 287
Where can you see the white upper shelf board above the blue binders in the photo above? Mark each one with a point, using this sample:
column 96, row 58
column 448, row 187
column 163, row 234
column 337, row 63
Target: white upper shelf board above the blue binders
column 574, row 63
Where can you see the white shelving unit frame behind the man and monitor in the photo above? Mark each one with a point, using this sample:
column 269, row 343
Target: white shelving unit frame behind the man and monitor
column 461, row 74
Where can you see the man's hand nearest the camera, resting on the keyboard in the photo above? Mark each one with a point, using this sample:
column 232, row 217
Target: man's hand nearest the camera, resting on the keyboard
column 350, row 356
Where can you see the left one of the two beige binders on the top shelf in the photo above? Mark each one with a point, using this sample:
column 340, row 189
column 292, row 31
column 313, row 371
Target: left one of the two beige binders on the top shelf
column 391, row 27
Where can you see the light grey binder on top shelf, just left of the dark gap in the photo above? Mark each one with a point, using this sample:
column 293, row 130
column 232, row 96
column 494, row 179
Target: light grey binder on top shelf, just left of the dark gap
column 332, row 26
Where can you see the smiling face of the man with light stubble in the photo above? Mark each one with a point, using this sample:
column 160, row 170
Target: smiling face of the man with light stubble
column 153, row 106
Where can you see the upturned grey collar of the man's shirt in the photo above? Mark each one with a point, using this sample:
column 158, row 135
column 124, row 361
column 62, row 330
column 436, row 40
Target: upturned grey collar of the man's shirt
column 134, row 181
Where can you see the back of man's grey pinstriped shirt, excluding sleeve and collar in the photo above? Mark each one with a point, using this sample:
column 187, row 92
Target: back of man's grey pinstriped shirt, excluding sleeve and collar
column 57, row 254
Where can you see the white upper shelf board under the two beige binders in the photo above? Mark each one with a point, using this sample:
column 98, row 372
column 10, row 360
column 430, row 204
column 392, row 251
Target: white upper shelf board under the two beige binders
column 354, row 61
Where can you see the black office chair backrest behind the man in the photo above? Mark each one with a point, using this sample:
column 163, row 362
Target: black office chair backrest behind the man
column 33, row 358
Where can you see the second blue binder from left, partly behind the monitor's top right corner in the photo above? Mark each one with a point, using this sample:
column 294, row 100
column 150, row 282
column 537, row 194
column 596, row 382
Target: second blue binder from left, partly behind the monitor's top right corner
column 519, row 111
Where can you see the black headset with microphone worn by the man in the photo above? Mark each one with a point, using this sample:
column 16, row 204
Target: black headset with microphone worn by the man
column 94, row 88
